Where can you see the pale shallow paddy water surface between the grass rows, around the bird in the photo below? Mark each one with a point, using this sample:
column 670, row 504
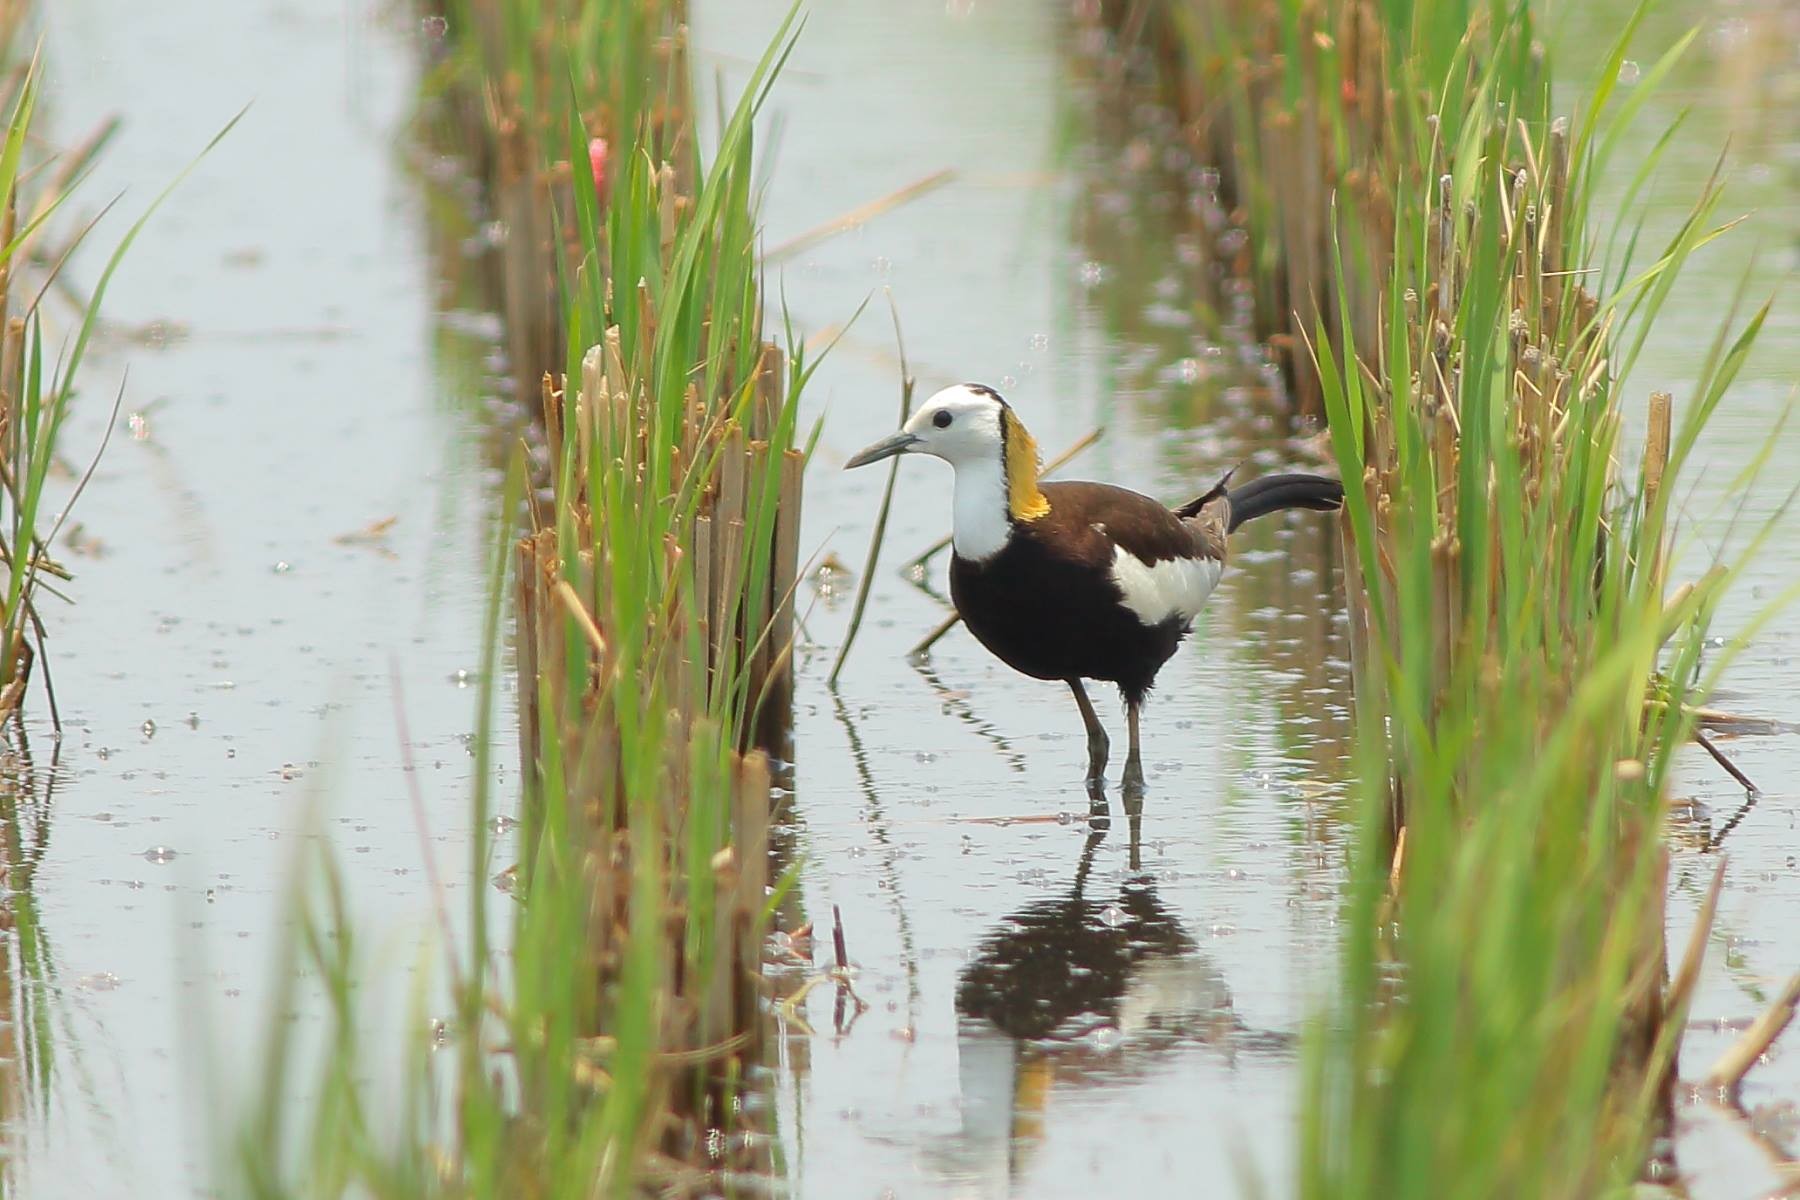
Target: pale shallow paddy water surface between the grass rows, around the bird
column 1059, row 1003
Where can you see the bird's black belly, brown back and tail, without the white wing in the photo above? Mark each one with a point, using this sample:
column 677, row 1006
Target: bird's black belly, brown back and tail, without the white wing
column 1048, row 605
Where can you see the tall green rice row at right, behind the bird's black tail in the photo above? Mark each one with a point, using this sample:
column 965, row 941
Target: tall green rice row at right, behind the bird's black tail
column 1423, row 240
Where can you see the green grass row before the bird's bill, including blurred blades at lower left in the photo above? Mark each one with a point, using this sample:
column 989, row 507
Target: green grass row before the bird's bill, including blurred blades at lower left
column 600, row 1046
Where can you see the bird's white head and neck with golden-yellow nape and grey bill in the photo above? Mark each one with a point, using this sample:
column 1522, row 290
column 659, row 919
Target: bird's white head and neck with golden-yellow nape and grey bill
column 996, row 461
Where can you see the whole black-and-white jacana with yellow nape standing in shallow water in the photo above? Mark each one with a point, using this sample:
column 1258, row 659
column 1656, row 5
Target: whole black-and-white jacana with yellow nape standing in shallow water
column 1074, row 580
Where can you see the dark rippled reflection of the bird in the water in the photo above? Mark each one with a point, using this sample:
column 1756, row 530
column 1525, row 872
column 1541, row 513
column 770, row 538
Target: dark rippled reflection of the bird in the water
column 1083, row 990
